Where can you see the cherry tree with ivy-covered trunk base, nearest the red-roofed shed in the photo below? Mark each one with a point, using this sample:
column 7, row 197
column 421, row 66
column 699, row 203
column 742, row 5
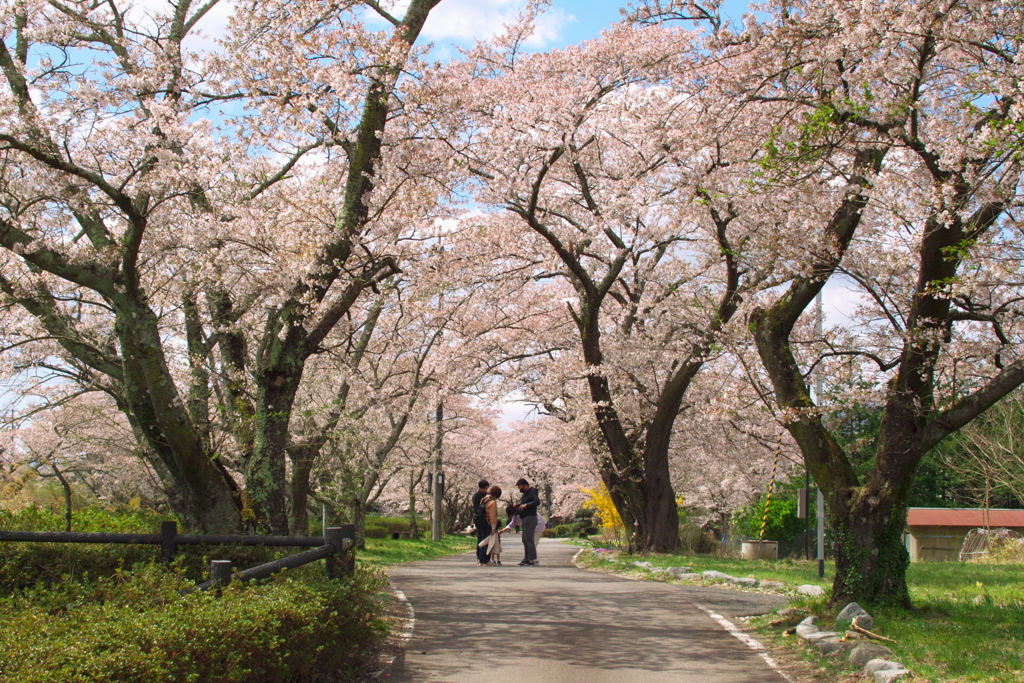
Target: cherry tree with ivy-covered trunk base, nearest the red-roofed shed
column 892, row 163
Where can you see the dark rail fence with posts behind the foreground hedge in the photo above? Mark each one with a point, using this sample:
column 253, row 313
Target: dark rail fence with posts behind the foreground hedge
column 335, row 546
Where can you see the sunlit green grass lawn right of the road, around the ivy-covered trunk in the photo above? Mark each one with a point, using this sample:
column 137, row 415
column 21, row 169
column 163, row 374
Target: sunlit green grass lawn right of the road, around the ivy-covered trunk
column 967, row 623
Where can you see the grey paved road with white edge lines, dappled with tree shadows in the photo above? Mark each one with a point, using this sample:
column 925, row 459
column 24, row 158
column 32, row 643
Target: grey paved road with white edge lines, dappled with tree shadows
column 557, row 624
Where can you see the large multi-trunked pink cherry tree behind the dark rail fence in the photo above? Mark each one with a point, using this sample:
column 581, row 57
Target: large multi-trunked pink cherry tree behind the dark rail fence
column 125, row 207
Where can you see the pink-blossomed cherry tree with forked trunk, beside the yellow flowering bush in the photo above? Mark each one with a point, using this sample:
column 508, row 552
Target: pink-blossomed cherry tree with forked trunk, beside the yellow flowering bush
column 616, row 186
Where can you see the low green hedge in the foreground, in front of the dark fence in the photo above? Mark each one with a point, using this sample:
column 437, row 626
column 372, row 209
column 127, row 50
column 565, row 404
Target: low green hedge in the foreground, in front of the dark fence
column 138, row 627
